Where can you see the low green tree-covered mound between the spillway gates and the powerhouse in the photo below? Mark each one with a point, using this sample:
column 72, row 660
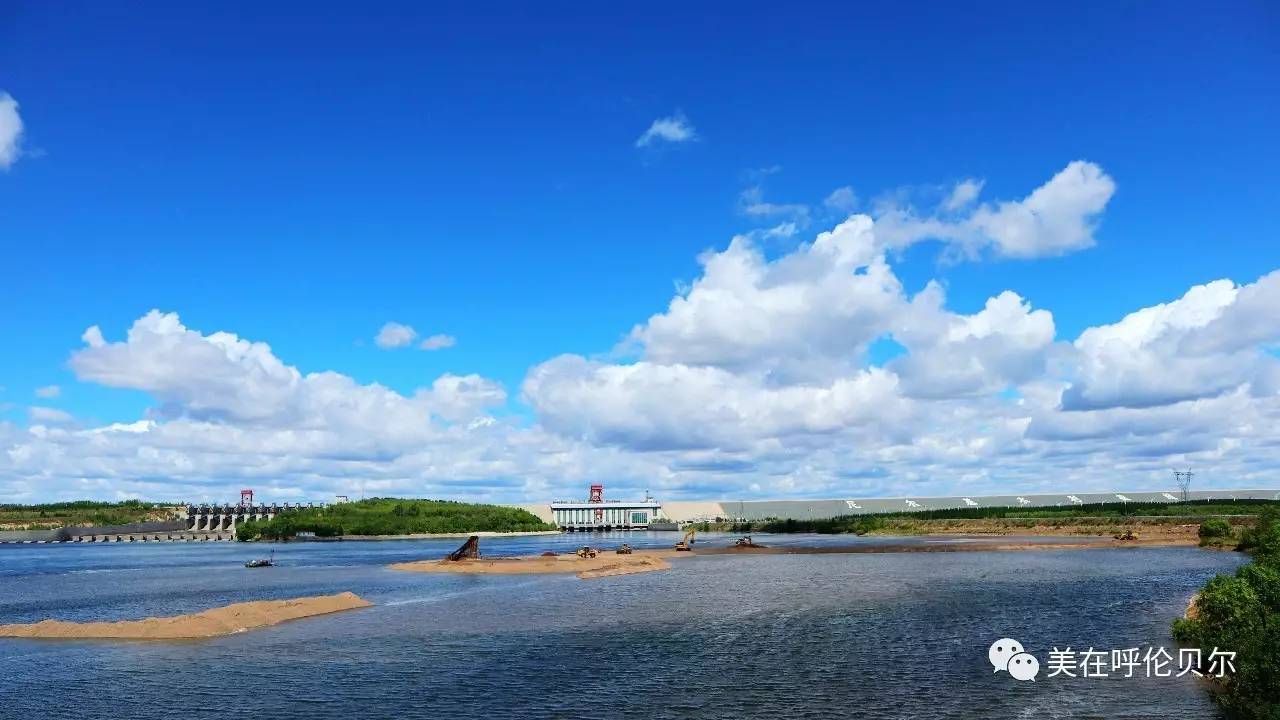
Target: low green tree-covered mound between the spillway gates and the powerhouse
column 392, row 517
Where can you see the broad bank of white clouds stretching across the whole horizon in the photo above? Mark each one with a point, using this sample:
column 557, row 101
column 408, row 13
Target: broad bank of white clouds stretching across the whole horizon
column 758, row 380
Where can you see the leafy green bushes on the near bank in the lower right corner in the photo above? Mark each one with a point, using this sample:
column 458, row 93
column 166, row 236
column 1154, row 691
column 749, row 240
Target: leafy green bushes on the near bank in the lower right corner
column 1241, row 613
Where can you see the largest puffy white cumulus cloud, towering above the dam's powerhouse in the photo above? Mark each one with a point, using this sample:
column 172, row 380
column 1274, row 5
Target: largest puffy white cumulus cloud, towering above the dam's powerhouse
column 761, row 352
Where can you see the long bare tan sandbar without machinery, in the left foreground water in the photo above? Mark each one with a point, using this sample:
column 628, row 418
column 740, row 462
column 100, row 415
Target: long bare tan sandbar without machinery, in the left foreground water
column 226, row 621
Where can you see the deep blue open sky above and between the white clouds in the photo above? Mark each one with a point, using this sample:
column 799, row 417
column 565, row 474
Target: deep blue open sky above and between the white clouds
column 303, row 175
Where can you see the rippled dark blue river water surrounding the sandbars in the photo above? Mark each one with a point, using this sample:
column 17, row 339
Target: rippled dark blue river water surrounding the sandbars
column 801, row 636
